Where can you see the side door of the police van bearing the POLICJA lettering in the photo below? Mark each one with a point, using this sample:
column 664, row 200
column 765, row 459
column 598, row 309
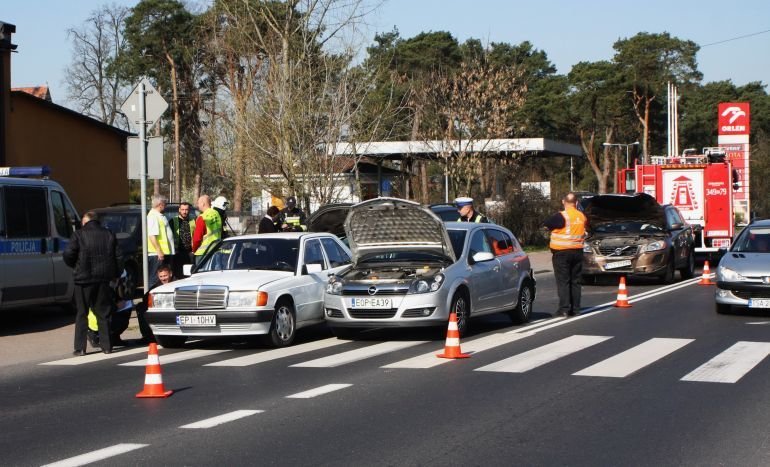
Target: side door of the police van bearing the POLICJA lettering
column 26, row 262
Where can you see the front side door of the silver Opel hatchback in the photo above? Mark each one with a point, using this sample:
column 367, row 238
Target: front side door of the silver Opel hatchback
column 484, row 277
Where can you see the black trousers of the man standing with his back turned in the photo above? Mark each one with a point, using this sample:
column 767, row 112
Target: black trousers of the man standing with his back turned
column 99, row 298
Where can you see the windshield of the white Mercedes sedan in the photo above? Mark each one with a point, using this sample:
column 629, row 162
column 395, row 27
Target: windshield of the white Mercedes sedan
column 270, row 254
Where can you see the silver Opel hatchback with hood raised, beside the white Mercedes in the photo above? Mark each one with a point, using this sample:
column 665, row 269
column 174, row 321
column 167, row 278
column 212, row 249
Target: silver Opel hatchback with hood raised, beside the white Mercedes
column 411, row 269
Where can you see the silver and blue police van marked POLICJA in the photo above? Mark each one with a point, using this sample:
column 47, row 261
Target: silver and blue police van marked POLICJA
column 36, row 221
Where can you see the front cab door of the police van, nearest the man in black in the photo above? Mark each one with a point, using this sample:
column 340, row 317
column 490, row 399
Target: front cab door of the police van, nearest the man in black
column 65, row 221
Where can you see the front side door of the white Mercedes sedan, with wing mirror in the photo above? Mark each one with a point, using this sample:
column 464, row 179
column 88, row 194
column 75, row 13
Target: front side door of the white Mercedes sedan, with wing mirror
column 309, row 291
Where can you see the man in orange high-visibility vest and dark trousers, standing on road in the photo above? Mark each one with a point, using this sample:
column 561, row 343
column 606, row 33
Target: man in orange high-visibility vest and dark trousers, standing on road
column 568, row 230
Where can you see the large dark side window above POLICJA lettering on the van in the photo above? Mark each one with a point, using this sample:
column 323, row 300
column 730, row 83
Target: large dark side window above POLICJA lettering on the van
column 26, row 212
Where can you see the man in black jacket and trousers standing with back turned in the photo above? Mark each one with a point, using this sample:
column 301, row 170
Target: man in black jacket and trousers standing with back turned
column 95, row 256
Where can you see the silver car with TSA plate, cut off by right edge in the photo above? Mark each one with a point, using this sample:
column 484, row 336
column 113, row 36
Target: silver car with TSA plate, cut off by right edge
column 743, row 274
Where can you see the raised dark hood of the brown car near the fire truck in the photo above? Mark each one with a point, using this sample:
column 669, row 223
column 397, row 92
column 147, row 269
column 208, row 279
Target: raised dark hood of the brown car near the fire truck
column 612, row 209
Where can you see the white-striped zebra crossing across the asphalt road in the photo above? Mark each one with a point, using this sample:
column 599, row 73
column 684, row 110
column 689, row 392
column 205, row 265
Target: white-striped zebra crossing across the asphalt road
column 727, row 366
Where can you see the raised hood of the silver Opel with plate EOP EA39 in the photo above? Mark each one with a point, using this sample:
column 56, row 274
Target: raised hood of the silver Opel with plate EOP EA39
column 384, row 225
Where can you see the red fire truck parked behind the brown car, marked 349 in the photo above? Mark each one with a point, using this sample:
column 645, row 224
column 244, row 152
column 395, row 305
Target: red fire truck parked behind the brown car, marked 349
column 700, row 185
